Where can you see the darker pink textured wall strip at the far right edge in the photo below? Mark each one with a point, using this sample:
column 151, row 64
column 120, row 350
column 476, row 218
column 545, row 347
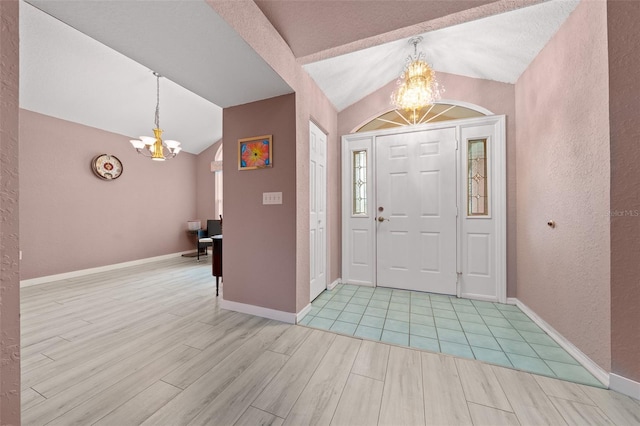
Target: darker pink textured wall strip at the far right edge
column 624, row 63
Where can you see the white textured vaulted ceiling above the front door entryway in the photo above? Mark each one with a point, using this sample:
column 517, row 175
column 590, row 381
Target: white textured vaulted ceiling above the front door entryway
column 499, row 48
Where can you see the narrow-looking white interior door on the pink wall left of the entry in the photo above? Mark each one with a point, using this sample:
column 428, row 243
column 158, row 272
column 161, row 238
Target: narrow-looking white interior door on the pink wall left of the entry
column 317, row 209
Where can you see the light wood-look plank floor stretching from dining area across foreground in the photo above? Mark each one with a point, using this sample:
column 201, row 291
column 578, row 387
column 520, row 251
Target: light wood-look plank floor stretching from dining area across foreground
column 149, row 345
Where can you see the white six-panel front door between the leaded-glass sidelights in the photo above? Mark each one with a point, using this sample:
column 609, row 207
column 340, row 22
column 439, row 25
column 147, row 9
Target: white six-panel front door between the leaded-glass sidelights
column 416, row 210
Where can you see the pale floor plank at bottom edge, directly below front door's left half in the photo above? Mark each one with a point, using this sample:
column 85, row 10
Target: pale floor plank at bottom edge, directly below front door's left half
column 403, row 397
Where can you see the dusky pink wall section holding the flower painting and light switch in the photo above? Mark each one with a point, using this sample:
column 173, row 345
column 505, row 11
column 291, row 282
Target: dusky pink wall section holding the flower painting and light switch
column 259, row 240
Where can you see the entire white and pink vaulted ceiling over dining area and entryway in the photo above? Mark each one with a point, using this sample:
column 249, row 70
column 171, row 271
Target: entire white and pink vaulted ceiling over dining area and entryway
column 91, row 62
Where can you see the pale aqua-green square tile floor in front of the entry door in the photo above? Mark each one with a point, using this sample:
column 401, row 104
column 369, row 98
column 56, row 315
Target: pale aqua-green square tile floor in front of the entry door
column 491, row 332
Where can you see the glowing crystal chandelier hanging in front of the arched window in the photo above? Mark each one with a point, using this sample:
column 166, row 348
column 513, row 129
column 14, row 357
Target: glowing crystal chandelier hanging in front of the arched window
column 417, row 85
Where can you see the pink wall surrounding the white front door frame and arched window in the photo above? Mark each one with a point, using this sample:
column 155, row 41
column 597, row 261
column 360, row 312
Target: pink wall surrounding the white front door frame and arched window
column 494, row 96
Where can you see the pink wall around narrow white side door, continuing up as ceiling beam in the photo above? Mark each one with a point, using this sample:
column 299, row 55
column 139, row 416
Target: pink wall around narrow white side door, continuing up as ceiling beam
column 311, row 104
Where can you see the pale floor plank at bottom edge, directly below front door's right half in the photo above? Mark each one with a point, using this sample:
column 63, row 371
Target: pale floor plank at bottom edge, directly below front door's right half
column 444, row 400
